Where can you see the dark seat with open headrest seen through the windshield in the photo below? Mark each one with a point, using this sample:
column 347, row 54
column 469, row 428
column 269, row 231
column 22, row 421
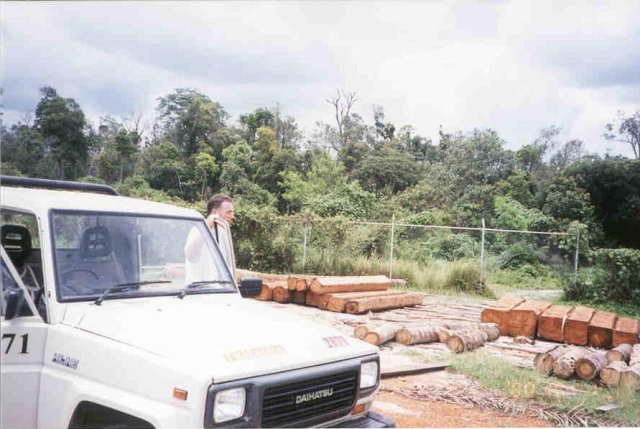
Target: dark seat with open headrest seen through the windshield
column 96, row 255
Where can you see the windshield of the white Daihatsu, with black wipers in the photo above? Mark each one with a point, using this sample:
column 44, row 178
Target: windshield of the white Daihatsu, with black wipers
column 151, row 255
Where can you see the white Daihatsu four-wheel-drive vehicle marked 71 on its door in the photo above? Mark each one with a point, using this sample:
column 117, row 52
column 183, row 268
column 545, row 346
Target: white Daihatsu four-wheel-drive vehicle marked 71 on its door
column 106, row 322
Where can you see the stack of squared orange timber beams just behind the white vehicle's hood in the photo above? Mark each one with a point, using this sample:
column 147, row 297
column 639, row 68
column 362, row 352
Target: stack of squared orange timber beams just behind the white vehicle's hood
column 340, row 294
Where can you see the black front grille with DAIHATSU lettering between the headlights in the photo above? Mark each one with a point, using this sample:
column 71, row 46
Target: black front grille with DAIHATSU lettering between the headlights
column 290, row 403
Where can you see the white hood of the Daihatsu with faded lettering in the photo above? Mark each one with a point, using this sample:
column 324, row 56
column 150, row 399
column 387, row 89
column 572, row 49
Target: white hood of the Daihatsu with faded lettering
column 223, row 336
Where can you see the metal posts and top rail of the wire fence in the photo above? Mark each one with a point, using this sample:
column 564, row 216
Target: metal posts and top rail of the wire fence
column 392, row 226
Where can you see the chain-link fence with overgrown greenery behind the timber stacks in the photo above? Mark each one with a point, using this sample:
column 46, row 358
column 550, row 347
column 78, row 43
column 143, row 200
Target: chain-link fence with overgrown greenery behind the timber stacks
column 428, row 256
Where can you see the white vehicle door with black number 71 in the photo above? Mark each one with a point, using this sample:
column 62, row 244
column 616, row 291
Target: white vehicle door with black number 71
column 21, row 355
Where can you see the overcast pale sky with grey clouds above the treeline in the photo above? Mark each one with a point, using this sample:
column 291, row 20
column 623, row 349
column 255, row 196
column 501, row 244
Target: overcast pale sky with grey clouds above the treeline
column 513, row 66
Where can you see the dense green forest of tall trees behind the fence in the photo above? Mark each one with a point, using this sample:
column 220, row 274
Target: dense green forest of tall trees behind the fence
column 357, row 168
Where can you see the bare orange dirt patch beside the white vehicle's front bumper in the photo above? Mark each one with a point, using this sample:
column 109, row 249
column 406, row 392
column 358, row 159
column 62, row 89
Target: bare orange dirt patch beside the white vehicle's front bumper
column 410, row 412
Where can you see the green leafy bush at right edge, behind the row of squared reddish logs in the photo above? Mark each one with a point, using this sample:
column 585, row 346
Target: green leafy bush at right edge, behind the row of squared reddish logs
column 615, row 276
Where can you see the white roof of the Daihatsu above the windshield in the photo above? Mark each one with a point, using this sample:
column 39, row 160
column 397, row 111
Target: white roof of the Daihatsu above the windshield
column 40, row 201
